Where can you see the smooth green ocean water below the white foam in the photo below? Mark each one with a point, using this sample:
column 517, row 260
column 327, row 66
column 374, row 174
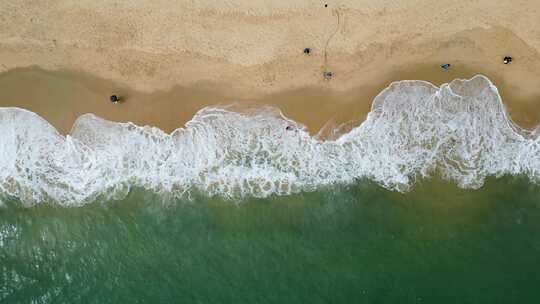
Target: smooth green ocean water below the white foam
column 349, row 244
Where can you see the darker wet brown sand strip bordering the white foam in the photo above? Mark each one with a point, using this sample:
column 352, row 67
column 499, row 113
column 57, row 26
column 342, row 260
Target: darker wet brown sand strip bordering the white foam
column 61, row 97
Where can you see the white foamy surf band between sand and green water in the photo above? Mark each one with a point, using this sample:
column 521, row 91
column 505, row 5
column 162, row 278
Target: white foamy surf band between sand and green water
column 460, row 131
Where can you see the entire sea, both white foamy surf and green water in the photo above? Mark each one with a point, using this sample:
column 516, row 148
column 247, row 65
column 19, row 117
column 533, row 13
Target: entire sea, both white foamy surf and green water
column 434, row 198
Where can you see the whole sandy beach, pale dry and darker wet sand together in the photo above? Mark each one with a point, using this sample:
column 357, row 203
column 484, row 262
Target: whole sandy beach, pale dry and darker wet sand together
column 170, row 58
